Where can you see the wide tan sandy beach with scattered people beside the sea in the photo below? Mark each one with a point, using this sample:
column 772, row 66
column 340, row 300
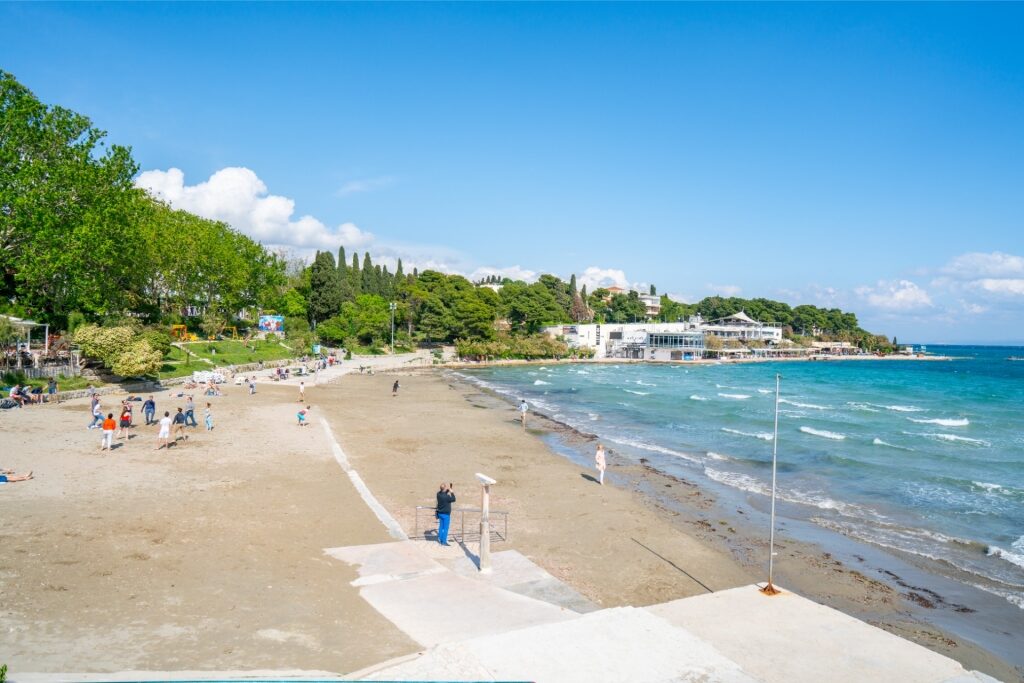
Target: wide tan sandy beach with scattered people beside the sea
column 211, row 558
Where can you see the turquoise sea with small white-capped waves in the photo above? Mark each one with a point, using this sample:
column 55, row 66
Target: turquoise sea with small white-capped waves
column 924, row 458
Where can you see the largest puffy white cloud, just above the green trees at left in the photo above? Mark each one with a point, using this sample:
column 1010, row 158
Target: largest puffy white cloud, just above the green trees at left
column 239, row 198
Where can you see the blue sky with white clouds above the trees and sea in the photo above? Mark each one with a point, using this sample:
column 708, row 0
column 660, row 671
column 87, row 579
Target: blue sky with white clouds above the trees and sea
column 865, row 156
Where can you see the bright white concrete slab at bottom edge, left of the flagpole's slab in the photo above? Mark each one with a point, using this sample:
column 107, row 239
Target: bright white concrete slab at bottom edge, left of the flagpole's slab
column 613, row 646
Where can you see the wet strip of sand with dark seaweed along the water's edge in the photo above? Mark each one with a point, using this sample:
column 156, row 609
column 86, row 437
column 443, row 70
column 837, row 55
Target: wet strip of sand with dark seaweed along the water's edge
column 880, row 587
